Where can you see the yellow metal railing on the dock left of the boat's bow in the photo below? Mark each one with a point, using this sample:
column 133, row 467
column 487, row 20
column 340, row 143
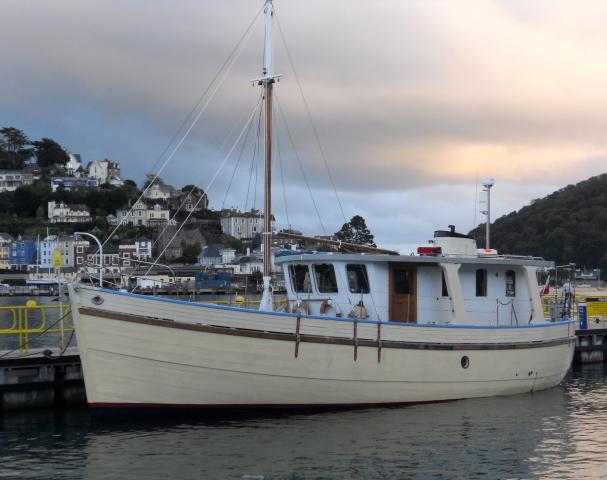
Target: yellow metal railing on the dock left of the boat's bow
column 32, row 320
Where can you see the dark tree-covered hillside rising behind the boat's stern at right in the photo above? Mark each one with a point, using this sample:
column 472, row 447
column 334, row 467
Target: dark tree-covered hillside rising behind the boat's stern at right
column 569, row 225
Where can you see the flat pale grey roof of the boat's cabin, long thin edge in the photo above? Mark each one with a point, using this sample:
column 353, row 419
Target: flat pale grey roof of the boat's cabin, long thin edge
column 426, row 259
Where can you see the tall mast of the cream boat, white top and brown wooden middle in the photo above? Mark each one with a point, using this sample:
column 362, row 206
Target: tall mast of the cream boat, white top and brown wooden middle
column 267, row 81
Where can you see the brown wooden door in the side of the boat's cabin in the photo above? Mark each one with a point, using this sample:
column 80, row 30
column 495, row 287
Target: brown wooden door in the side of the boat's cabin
column 403, row 293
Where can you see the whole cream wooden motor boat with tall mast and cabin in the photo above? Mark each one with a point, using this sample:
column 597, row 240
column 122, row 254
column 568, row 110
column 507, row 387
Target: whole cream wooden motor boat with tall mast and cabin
column 366, row 329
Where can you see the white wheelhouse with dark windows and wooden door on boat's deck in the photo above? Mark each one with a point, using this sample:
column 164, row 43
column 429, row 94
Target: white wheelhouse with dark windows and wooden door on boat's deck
column 449, row 283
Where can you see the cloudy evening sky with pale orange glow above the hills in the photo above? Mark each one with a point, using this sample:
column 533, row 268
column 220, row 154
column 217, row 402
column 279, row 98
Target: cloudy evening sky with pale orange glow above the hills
column 413, row 101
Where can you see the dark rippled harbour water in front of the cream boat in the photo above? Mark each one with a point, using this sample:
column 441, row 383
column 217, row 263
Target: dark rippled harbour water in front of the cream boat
column 558, row 433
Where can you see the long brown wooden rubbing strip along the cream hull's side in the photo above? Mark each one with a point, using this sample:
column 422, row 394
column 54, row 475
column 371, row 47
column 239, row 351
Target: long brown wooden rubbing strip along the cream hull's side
column 303, row 338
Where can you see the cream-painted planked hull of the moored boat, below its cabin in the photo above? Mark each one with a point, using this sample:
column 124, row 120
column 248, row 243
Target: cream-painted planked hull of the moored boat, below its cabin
column 147, row 352
